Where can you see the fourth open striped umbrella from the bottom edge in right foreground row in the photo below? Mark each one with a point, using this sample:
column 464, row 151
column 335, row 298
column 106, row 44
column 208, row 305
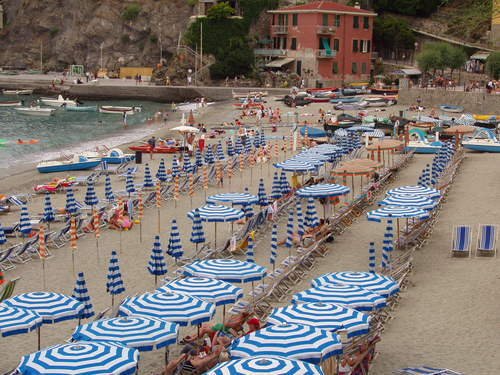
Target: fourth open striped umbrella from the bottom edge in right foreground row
column 351, row 296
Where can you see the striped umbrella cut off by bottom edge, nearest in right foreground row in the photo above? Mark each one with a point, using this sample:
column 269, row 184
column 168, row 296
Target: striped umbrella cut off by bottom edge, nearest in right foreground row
column 265, row 365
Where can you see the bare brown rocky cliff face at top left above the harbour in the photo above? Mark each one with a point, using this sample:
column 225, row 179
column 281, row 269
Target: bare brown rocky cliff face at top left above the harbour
column 72, row 32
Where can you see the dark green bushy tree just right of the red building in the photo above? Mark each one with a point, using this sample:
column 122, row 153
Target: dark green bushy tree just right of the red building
column 392, row 32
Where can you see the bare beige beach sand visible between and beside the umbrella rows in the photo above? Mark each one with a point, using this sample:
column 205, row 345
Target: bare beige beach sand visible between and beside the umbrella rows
column 447, row 317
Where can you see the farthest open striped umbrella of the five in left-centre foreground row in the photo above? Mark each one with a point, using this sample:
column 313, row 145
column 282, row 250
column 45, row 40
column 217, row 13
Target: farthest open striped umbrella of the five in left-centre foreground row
column 230, row 270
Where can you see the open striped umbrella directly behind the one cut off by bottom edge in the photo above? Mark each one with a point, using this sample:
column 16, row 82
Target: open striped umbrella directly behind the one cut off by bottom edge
column 292, row 341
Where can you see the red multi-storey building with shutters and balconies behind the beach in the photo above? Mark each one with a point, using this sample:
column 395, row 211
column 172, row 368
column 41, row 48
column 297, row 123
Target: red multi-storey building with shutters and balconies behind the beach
column 323, row 42
